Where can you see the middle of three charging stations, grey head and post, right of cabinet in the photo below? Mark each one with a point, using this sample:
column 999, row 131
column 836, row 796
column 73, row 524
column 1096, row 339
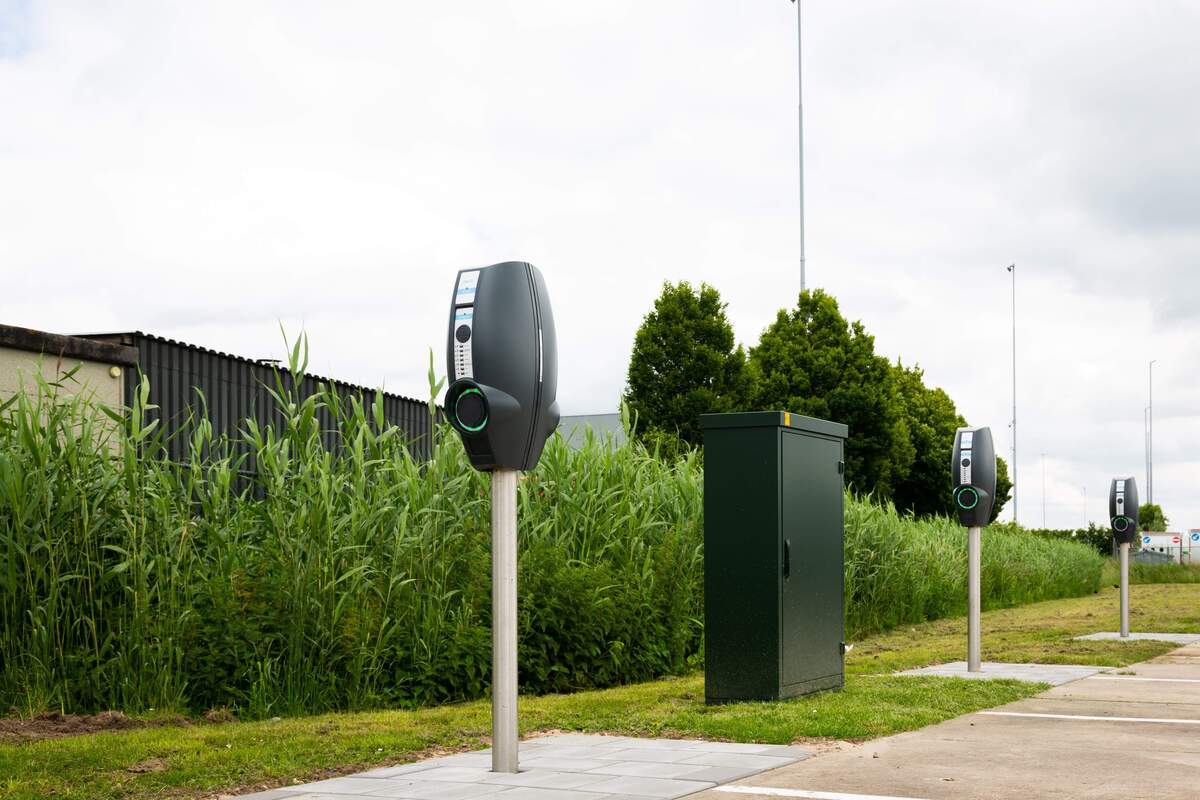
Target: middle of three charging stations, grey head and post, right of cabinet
column 974, row 479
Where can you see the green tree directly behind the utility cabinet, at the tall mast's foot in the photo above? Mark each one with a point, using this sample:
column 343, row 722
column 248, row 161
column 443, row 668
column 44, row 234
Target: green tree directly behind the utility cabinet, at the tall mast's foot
column 811, row 360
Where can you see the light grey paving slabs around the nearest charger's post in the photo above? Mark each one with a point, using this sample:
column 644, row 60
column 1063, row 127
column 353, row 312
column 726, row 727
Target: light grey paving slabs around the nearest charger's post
column 561, row 768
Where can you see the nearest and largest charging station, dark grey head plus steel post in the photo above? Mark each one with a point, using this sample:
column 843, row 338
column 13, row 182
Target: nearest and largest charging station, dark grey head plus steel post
column 502, row 354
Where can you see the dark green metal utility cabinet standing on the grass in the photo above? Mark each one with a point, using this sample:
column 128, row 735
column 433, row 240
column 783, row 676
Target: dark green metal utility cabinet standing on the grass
column 775, row 574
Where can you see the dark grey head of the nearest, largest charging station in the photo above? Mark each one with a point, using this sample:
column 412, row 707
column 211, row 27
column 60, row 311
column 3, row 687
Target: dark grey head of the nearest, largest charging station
column 503, row 359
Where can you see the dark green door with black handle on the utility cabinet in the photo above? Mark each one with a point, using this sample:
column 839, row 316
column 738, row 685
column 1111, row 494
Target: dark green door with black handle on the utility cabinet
column 813, row 621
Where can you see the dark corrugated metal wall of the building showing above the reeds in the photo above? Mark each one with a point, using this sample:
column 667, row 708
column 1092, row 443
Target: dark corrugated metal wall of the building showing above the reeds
column 237, row 389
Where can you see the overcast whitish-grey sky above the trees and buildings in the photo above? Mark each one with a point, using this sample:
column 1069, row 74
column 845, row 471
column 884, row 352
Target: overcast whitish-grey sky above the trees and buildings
column 209, row 171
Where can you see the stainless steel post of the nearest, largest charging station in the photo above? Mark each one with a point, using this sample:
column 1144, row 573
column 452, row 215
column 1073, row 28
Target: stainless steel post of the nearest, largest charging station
column 505, row 621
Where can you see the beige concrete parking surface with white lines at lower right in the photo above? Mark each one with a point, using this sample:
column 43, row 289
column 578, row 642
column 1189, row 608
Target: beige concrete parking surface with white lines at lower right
column 1130, row 735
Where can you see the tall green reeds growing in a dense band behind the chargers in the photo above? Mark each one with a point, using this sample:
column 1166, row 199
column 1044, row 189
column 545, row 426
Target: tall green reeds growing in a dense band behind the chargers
column 356, row 578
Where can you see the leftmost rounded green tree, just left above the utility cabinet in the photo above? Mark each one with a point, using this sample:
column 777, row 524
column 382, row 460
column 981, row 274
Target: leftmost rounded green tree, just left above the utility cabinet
column 686, row 364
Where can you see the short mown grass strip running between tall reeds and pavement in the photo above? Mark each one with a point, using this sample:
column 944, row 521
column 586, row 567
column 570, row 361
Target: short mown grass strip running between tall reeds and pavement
column 206, row 761
